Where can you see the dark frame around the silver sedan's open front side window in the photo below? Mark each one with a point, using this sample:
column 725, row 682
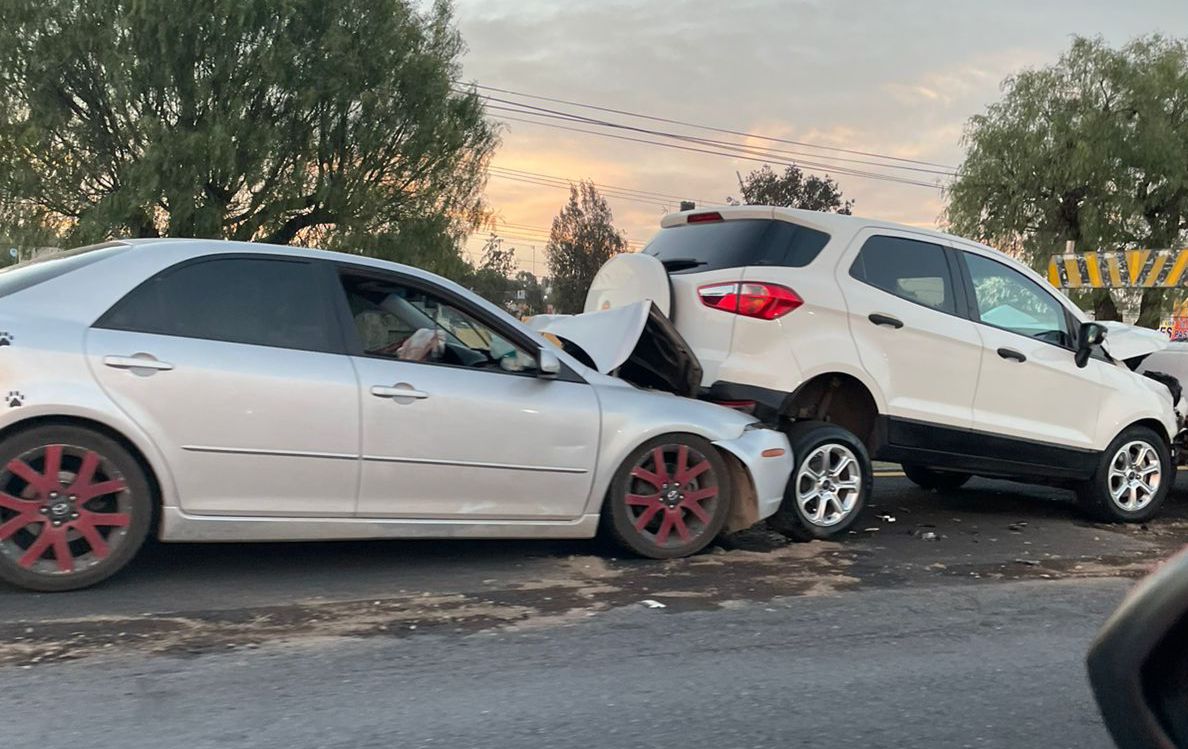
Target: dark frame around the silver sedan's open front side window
column 355, row 347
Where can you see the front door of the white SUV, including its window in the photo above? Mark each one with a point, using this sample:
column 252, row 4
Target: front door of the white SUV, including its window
column 1031, row 387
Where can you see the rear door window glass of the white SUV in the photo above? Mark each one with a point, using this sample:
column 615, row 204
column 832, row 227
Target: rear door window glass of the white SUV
column 913, row 270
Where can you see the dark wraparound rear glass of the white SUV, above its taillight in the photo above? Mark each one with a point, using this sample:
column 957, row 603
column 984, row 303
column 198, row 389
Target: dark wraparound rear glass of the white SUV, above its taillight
column 699, row 248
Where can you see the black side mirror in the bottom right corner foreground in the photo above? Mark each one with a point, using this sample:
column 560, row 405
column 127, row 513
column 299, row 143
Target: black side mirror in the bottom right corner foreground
column 1139, row 665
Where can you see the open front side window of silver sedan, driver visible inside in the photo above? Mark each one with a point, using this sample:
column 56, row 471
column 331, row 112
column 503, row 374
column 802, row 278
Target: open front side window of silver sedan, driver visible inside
column 405, row 323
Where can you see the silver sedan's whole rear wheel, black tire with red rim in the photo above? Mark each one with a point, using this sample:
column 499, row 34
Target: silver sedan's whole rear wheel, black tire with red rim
column 69, row 531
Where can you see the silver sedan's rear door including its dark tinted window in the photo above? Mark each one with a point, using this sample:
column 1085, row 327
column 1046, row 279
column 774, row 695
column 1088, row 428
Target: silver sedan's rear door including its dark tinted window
column 235, row 366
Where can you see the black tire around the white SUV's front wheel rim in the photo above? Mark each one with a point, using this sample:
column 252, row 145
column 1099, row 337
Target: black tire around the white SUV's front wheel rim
column 1154, row 458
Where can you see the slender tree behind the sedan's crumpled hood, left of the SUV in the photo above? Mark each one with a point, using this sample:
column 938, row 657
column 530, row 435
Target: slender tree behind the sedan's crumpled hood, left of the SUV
column 582, row 241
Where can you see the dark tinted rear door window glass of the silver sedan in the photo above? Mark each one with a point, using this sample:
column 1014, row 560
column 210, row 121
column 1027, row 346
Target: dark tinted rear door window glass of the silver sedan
column 263, row 303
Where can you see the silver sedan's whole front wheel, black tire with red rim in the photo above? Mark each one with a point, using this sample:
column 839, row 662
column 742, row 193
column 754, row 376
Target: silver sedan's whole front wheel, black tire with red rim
column 671, row 512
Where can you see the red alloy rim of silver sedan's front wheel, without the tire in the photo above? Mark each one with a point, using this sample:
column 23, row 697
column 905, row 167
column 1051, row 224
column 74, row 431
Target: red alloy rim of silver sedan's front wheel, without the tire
column 673, row 495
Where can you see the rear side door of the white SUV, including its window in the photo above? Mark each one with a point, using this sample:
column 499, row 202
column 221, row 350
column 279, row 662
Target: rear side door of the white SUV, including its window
column 906, row 313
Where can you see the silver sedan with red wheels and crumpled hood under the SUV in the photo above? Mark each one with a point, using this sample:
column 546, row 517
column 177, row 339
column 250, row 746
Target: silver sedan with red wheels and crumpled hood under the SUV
column 226, row 392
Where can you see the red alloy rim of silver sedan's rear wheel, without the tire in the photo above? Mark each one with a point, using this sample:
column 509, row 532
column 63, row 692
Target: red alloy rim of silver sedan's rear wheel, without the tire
column 64, row 509
